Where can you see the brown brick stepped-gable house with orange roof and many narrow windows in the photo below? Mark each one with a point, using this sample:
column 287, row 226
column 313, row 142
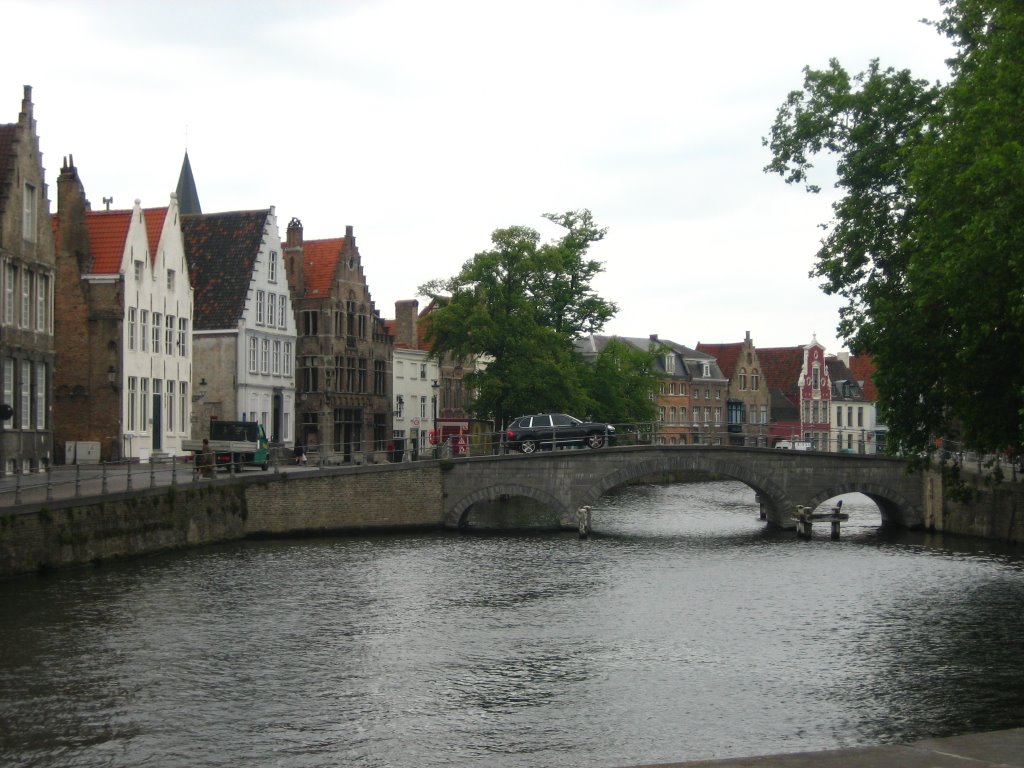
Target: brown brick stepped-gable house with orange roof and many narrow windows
column 344, row 350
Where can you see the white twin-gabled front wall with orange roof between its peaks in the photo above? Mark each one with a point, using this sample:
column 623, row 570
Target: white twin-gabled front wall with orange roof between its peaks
column 156, row 377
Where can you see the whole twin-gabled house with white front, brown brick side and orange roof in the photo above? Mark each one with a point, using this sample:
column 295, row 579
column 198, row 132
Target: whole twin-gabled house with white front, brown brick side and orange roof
column 124, row 322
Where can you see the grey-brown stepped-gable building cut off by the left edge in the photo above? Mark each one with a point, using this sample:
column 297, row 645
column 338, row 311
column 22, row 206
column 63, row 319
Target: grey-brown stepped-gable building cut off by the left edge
column 27, row 280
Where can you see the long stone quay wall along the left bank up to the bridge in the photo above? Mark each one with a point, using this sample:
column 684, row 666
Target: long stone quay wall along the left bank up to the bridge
column 77, row 532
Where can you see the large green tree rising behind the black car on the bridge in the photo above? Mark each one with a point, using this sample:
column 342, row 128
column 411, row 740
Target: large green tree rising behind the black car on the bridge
column 521, row 305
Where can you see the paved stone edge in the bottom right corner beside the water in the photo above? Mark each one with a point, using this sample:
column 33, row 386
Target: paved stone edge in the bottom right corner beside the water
column 994, row 750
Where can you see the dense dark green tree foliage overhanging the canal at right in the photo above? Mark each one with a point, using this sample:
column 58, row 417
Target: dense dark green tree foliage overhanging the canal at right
column 927, row 242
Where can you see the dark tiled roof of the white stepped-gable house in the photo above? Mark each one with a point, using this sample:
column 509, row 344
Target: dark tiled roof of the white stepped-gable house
column 222, row 250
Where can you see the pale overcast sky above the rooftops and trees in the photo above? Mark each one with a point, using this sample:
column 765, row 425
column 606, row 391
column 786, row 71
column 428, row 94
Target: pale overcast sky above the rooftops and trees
column 428, row 125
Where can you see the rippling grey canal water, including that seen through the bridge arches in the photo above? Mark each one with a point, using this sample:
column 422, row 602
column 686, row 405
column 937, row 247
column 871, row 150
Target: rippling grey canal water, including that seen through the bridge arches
column 684, row 629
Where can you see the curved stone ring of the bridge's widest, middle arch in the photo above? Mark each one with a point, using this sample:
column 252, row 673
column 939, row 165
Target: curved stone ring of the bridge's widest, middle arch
column 777, row 501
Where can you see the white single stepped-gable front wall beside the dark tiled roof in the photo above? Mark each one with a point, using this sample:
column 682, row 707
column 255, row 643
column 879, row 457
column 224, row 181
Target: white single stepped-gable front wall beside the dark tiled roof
column 266, row 365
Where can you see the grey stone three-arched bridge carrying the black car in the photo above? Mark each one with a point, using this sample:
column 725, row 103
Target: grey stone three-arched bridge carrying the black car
column 563, row 482
